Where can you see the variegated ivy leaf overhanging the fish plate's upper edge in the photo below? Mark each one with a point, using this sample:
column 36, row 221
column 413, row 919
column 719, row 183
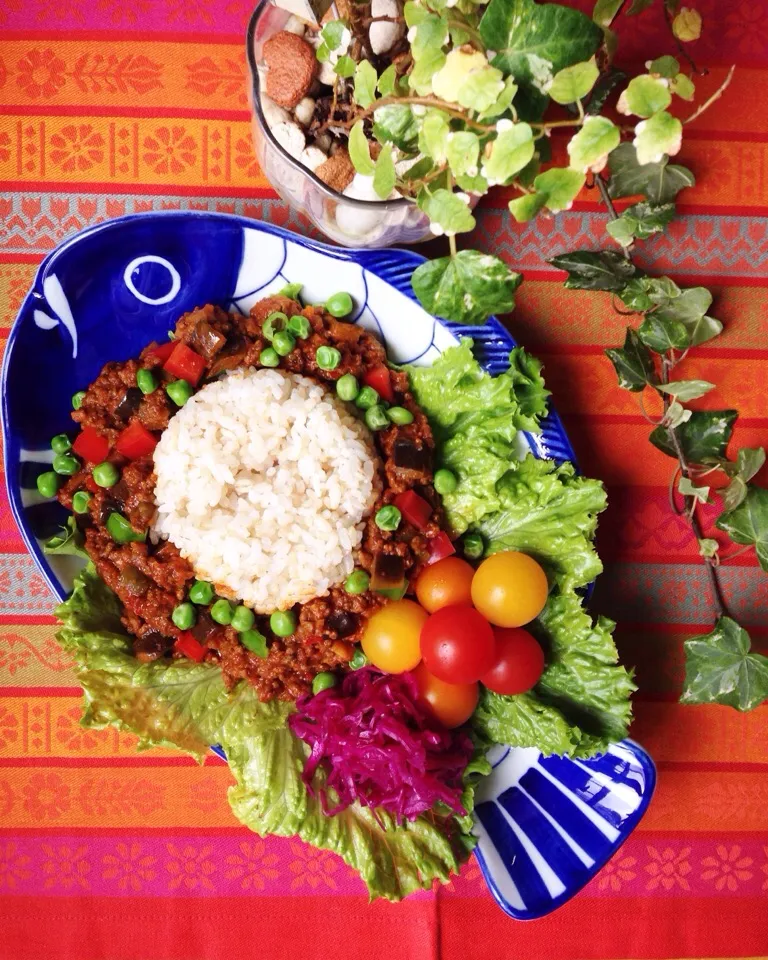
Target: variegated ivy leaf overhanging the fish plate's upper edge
column 467, row 288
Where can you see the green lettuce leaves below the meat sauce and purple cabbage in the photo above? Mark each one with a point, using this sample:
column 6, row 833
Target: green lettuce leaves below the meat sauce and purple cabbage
column 186, row 705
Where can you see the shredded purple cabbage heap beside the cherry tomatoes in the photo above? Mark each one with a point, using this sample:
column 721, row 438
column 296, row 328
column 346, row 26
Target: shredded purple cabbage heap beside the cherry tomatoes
column 378, row 744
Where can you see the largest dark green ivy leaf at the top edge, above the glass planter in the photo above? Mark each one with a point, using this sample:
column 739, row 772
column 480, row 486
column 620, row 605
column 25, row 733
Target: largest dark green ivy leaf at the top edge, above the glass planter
column 535, row 41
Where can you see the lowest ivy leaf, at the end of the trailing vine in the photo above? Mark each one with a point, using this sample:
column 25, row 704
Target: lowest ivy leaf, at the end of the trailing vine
column 720, row 668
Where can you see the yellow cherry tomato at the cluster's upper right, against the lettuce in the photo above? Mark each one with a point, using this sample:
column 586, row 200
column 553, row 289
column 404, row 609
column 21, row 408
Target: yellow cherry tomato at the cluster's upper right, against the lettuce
column 509, row 589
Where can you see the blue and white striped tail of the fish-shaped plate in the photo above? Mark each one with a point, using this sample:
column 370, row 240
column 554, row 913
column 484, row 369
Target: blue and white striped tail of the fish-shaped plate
column 547, row 825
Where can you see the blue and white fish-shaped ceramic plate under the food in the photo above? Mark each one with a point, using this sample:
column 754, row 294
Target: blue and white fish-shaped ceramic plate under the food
column 545, row 825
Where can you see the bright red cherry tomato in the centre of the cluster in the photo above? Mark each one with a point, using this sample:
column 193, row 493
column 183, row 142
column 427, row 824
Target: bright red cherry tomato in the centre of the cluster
column 457, row 644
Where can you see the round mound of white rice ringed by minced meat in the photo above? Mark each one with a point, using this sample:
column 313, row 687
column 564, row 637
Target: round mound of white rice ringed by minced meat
column 264, row 480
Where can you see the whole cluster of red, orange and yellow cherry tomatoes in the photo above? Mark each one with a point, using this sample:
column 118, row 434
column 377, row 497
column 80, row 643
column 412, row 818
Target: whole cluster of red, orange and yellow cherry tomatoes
column 464, row 630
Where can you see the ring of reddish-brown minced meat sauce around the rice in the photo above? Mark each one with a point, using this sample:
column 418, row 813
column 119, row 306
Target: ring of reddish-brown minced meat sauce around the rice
column 124, row 411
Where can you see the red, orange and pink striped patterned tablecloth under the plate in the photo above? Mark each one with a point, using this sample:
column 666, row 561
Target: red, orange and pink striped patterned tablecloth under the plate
column 114, row 106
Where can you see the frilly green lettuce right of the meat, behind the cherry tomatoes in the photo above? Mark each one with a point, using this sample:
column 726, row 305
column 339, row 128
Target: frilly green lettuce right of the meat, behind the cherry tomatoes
column 543, row 509
